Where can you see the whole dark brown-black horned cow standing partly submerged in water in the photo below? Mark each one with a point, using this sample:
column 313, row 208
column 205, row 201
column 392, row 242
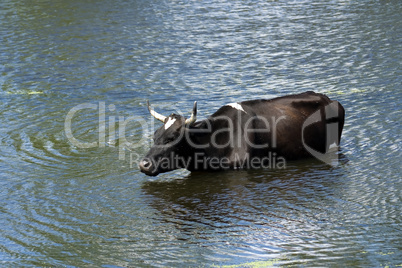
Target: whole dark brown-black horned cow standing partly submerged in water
column 248, row 134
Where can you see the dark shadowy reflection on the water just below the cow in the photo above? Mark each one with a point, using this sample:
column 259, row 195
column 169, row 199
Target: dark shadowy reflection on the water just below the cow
column 219, row 199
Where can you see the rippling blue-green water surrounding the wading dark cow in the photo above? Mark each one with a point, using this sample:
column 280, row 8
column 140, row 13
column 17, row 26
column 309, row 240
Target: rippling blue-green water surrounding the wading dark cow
column 65, row 206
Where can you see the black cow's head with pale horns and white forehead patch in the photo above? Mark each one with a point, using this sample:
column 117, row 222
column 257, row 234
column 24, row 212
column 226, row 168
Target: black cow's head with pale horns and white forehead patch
column 169, row 143
